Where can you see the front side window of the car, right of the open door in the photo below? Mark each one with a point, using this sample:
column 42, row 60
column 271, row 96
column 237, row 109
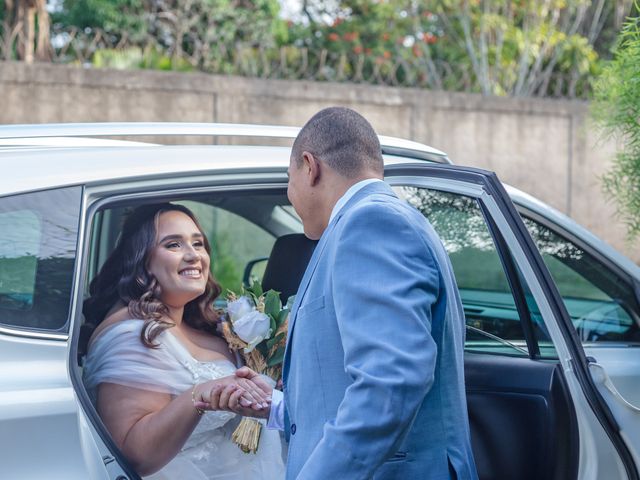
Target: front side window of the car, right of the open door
column 602, row 305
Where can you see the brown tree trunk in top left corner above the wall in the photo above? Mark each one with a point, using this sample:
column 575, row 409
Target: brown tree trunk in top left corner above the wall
column 26, row 29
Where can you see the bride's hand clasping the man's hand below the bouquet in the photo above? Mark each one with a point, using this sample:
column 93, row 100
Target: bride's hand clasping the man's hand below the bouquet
column 250, row 394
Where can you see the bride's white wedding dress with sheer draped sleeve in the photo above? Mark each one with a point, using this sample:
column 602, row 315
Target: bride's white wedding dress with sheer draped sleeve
column 118, row 356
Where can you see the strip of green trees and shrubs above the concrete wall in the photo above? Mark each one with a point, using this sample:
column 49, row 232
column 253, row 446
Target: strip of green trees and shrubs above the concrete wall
column 496, row 47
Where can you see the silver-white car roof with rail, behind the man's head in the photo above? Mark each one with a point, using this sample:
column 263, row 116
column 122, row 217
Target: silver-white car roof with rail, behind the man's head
column 38, row 157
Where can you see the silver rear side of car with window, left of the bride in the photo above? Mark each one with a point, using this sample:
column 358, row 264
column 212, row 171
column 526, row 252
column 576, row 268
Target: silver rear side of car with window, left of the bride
column 43, row 433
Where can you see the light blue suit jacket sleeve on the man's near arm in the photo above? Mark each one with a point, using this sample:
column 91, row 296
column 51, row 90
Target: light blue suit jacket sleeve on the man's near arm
column 385, row 284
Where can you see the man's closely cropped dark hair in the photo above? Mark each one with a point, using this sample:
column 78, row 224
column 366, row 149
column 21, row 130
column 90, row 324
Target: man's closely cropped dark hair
column 341, row 138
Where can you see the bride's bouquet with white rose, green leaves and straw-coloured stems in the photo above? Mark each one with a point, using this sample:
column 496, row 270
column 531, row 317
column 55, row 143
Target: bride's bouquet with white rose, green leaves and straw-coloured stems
column 256, row 327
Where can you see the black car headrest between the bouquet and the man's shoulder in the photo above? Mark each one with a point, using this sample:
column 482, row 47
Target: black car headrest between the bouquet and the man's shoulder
column 287, row 263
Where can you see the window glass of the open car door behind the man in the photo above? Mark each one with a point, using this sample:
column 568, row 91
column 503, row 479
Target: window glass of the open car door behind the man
column 493, row 322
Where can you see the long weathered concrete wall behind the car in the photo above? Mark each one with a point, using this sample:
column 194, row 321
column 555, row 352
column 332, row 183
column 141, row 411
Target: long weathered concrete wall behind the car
column 544, row 147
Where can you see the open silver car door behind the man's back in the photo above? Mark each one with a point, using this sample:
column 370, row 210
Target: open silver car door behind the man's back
column 534, row 409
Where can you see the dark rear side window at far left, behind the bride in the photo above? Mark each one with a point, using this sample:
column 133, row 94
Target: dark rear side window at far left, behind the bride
column 37, row 257
